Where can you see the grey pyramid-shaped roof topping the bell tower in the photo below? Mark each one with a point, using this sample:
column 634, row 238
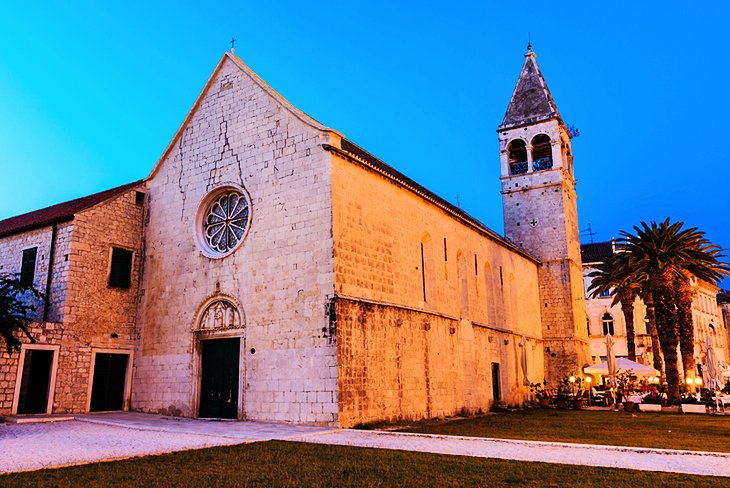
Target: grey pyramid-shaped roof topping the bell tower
column 531, row 101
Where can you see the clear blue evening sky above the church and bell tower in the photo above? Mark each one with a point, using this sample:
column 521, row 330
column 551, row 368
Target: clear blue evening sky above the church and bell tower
column 91, row 94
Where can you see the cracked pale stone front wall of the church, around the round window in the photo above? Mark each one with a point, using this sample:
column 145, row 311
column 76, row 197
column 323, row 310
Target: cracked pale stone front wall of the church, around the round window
column 281, row 275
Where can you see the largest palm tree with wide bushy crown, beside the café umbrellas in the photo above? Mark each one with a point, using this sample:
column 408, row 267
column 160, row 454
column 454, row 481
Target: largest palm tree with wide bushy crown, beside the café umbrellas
column 664, row 253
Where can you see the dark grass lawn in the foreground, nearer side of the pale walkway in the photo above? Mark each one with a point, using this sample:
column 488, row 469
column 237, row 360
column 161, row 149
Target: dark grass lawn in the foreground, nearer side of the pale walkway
column 278, row 463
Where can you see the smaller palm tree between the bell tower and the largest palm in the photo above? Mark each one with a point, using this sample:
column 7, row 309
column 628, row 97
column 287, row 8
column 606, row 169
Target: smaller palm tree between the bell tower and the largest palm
column 614, row 276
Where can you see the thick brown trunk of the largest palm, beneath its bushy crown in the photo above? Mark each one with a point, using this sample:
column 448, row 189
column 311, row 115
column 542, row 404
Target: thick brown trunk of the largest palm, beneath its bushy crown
column 662, row 290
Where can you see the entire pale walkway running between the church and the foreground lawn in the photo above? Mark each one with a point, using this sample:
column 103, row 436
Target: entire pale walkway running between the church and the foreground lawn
column 98, row 437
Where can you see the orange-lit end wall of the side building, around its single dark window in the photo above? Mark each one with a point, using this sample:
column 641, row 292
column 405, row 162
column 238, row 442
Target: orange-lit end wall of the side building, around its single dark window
column 98, row 316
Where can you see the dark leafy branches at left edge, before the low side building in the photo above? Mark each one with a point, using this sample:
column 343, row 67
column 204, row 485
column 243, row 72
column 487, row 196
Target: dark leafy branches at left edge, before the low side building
column 17, row 305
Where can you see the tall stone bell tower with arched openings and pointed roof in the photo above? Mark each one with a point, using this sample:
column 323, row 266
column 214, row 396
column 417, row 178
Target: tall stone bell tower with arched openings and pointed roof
column 541, row 215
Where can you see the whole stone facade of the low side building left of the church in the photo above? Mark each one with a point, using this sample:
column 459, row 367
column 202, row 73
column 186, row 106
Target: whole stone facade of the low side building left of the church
column 83, row 314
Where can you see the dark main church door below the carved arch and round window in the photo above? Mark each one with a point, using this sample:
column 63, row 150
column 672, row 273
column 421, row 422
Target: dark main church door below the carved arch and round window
column 219, row 378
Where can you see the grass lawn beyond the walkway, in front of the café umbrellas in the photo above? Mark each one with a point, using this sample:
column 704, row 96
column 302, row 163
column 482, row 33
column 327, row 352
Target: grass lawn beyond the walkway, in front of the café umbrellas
column 668, row 431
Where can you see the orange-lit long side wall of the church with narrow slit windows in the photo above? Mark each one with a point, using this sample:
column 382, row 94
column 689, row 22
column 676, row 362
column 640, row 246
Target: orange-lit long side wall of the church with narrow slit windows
column 403, row 357
